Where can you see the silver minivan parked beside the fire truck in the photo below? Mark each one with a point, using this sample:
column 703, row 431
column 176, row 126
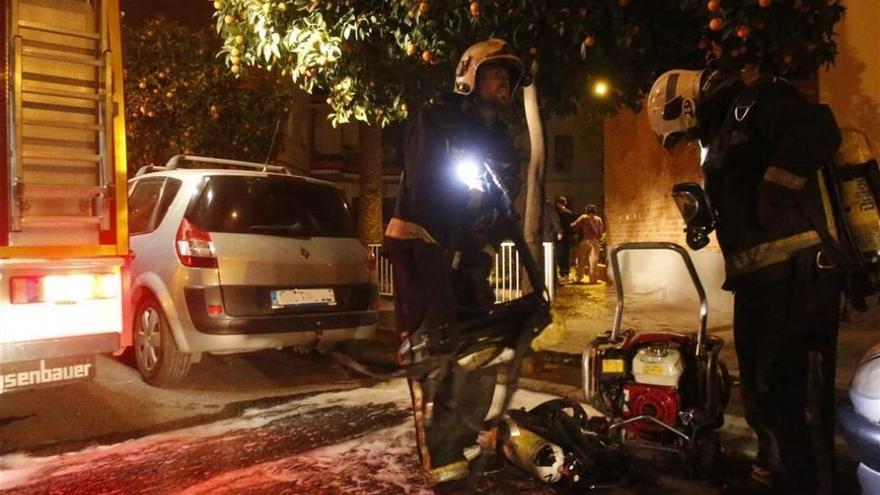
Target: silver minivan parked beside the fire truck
column 234, row 256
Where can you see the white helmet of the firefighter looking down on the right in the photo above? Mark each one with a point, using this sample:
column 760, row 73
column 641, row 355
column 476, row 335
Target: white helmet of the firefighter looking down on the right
column 672, row 104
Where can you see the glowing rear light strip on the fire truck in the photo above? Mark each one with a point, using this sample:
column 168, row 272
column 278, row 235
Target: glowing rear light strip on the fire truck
column 66, row 288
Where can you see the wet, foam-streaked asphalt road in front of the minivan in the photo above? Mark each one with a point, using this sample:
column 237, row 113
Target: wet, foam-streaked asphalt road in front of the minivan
column 262, row 423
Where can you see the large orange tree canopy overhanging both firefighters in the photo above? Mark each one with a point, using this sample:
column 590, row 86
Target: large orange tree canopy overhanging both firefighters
column 376, row 58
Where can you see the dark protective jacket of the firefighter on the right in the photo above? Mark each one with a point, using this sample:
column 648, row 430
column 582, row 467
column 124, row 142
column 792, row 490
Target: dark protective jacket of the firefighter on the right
column 762, row 217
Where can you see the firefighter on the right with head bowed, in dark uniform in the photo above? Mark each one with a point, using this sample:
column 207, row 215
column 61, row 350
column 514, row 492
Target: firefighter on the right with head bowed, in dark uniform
column 763, row 146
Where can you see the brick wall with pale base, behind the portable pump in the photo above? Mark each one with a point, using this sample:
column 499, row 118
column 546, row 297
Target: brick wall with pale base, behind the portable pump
column 639, row 175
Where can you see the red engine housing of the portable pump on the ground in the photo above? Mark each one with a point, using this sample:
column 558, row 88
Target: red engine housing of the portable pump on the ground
column 658, row 401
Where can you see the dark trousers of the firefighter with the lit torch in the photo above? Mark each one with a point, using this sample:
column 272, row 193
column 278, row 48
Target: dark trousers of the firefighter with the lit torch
column 448, row 412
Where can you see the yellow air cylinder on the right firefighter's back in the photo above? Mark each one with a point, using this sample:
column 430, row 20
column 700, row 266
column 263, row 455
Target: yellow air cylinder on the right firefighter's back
column 857, row 199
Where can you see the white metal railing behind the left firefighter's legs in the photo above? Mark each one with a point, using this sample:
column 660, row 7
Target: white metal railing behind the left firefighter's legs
column 506, row 277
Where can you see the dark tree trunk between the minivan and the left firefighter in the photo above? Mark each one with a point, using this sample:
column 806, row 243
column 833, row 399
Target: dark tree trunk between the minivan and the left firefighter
column 371, row 194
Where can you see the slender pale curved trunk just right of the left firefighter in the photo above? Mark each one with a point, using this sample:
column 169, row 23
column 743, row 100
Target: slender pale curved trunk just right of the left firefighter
column 535, row 173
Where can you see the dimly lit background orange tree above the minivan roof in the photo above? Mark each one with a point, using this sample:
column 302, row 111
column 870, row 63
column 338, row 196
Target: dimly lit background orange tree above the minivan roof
column 180, row 98
